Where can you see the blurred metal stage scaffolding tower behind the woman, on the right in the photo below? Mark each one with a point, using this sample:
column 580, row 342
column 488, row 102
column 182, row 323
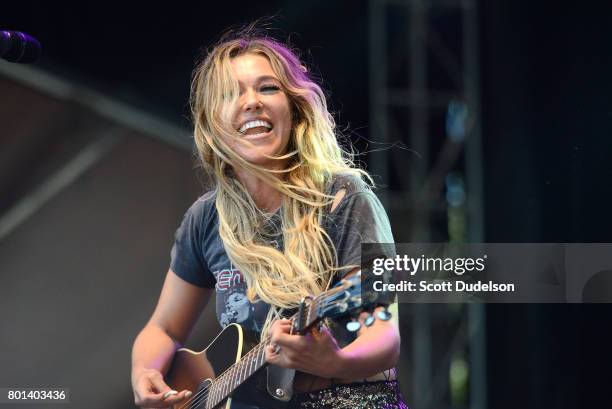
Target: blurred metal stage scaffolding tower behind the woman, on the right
column 426, row 152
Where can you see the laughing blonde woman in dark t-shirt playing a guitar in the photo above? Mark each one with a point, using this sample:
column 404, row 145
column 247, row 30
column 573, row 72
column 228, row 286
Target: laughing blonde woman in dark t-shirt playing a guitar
column 285, row 220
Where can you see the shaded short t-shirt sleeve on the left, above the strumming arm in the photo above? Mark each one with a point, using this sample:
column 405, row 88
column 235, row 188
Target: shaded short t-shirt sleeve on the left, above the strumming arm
column 186, row 258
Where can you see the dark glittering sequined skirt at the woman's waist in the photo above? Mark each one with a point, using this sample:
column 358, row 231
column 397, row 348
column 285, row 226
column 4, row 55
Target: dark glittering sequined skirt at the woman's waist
column 370, row 395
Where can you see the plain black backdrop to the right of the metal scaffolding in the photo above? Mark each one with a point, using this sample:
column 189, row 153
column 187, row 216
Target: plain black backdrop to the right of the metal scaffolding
column 546, row 115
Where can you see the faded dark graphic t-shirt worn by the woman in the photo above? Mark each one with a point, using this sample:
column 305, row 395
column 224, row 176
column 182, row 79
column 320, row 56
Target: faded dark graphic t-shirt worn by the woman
column 198, row 255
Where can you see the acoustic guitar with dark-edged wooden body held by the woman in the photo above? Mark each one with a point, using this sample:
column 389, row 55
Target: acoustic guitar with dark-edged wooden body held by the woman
column 230, row 367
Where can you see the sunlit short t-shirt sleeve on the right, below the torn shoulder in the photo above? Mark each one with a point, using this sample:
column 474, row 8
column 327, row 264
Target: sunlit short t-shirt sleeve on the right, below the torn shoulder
column 360, row 218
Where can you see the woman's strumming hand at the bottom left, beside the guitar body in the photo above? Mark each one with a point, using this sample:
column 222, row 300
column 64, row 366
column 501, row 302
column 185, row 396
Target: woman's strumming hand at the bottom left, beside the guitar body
column 150, row 391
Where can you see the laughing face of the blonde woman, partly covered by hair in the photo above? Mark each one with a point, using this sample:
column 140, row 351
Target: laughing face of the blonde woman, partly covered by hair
column 262, row 113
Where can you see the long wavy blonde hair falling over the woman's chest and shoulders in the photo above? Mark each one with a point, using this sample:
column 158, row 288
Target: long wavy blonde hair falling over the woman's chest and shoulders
column 308, row 262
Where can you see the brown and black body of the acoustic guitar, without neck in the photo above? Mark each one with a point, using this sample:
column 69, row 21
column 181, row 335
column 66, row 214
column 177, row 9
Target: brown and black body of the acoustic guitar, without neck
column 196, row 371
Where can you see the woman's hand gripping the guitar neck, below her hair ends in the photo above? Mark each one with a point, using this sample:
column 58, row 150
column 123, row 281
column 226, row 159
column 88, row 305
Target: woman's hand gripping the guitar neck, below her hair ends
column 316, row 353
